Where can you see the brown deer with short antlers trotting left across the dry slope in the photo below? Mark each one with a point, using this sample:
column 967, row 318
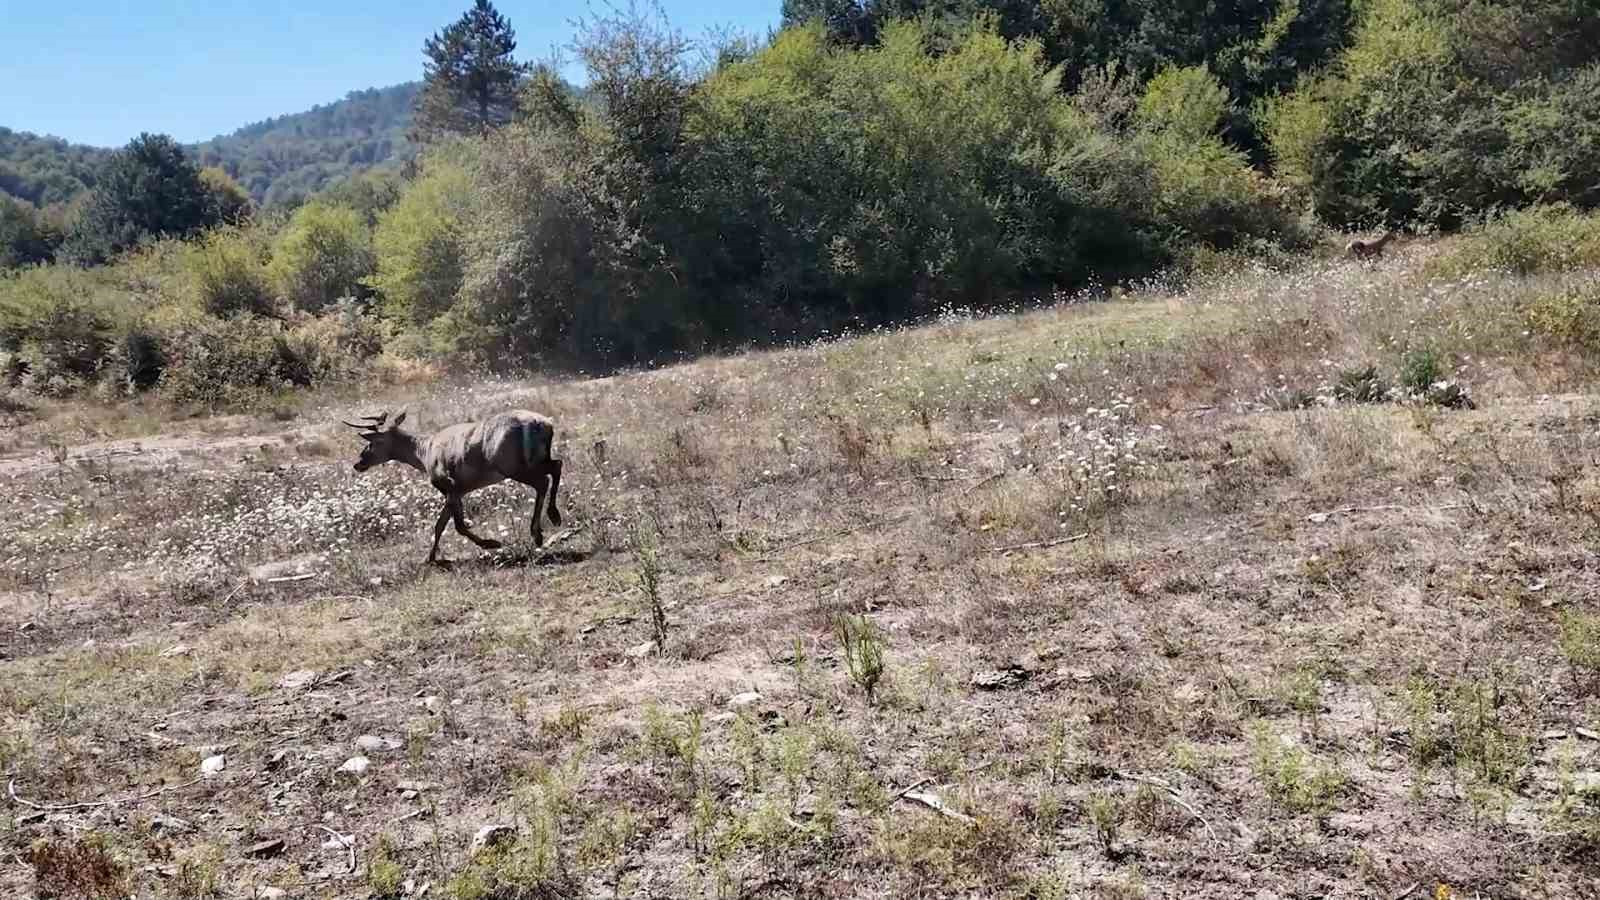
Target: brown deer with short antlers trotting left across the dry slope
column 465, row 457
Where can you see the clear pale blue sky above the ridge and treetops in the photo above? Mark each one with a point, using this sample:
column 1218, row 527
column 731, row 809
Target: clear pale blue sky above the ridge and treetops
column 102, row 71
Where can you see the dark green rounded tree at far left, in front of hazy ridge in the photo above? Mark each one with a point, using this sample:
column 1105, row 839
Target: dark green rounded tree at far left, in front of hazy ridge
column 148, row 190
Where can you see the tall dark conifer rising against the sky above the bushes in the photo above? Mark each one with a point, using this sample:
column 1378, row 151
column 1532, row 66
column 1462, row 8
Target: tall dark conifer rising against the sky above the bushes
column 470, row 76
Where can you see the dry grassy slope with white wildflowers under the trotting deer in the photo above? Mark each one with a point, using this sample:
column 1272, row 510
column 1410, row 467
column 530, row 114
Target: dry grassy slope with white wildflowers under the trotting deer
column 1311, row 654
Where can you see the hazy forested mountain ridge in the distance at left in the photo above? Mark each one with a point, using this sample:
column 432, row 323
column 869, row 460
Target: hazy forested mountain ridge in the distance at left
column 278, row 161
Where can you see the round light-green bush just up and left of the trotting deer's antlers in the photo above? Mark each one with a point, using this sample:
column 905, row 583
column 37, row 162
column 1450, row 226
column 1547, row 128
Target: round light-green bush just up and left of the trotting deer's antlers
column 324, row 254
